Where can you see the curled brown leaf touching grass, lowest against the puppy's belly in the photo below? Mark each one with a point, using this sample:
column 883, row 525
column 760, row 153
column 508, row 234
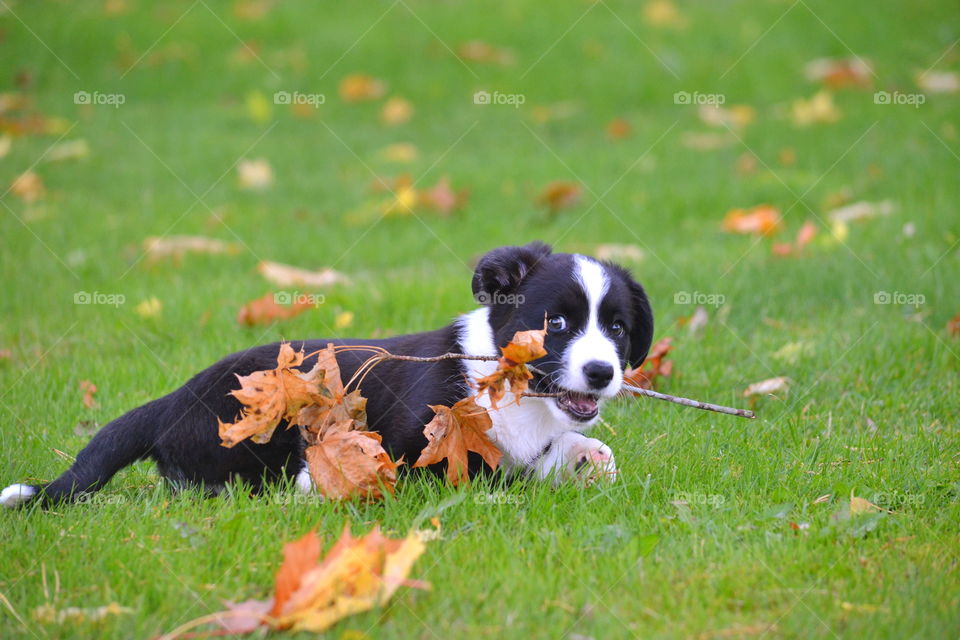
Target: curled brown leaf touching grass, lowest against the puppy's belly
column 351, row 464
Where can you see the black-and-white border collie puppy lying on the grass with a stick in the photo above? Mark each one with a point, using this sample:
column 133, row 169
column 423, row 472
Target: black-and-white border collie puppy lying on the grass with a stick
column 598, row 320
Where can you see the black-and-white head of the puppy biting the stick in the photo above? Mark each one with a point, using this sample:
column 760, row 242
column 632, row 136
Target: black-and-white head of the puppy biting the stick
column 598, row 321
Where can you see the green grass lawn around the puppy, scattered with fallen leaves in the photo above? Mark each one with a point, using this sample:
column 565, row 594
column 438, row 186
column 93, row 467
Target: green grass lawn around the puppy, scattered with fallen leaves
column 873, row 409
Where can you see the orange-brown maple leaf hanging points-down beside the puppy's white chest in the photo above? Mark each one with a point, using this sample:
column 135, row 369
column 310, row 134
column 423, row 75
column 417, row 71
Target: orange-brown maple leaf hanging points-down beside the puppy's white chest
column 452, row 433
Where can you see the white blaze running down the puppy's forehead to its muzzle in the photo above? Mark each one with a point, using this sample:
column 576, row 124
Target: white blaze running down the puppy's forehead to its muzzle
column 592, row 344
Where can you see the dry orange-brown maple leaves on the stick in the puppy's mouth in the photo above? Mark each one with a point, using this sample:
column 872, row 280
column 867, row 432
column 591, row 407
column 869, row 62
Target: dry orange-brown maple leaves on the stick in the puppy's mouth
column 345, row 459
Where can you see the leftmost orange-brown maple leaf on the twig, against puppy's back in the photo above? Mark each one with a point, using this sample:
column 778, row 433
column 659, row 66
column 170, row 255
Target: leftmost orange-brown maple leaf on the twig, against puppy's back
column 272, row 396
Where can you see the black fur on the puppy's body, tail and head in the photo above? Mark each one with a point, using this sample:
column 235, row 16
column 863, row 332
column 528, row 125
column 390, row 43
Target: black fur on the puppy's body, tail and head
column 179, row 431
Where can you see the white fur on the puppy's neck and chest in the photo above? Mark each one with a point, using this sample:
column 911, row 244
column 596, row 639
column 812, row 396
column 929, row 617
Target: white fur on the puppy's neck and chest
column 521, row 431
